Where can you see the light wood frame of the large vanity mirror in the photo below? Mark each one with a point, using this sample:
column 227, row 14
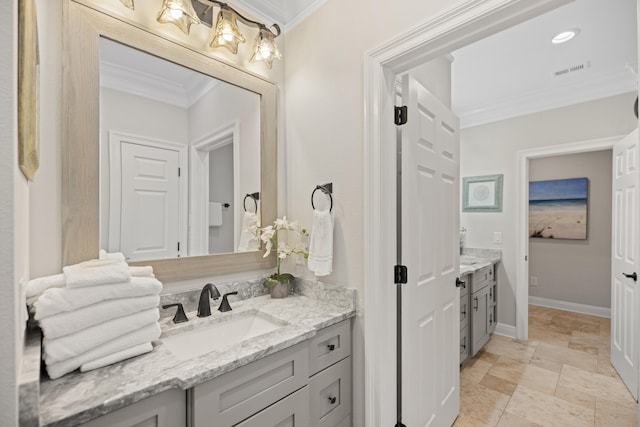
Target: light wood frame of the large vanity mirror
column 86, row 30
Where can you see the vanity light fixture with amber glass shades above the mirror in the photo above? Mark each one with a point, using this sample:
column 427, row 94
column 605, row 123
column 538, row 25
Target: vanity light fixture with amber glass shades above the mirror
column 225, row 32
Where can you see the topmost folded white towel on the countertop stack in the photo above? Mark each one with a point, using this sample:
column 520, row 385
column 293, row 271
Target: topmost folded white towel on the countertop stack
column 96, row 272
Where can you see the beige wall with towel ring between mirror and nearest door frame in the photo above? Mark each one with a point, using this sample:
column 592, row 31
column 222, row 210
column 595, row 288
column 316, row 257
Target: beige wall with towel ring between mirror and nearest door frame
column 324, row 74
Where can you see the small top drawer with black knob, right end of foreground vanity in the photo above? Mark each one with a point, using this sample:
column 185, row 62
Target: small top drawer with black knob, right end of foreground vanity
column 329, row 346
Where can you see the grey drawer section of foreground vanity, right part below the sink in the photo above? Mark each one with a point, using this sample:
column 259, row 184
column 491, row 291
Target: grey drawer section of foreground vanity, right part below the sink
column 308, row 384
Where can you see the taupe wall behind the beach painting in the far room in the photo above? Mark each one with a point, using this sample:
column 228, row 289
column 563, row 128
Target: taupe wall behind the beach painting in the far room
column 577, row 271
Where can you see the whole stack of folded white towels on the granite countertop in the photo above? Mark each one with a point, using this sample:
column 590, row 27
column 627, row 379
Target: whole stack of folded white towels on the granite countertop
column 96, row 313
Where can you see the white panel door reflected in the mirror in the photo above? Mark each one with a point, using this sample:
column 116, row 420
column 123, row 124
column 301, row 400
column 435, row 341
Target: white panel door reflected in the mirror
column 150, row 203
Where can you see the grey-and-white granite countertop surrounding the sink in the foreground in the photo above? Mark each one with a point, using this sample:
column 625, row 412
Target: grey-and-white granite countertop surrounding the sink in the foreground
column 79, row 397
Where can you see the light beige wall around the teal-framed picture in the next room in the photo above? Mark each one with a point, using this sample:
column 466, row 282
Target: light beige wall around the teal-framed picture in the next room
column 492, row 148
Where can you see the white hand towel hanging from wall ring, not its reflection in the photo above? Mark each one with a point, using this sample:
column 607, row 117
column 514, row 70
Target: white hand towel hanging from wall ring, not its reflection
column 321, row 245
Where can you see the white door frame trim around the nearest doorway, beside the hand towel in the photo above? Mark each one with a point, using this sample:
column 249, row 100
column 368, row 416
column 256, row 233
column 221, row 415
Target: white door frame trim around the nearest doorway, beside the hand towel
column 446, row 32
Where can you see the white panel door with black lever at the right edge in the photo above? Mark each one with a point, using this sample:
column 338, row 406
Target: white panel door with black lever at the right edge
column 624, row 262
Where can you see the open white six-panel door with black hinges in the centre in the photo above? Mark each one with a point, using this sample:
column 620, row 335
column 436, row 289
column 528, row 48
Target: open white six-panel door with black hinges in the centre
column 430, row 226
